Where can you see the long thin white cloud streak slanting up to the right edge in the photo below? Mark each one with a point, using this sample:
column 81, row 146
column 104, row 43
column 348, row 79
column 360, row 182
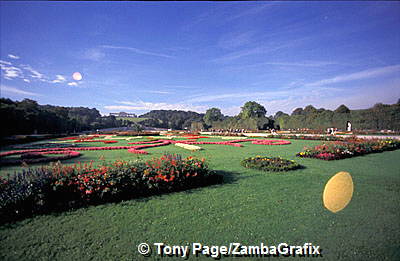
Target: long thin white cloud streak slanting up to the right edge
column 370, row 73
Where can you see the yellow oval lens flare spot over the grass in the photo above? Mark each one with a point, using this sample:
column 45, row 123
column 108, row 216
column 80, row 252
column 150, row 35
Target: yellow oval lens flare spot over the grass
column 338, row 191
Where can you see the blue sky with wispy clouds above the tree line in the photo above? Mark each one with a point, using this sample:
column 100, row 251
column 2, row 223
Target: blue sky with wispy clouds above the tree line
column 140, row 56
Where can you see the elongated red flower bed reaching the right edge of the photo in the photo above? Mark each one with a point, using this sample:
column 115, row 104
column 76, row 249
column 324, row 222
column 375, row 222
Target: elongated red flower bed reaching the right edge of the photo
column 350, row 148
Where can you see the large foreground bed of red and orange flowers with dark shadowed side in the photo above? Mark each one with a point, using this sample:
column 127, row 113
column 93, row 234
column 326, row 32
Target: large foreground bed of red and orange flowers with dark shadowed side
column 59, row 187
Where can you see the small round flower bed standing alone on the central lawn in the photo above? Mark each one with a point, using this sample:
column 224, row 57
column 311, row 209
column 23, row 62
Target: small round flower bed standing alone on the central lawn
column 270, row 164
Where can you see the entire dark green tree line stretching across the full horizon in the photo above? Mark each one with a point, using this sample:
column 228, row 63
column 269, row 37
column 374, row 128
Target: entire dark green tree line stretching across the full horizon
column 28, row 117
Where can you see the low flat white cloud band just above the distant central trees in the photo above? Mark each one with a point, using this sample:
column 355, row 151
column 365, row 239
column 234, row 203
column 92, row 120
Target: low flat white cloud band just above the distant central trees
column 140, row 105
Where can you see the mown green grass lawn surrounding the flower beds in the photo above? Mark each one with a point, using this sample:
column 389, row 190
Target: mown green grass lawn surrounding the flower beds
column 250, row 208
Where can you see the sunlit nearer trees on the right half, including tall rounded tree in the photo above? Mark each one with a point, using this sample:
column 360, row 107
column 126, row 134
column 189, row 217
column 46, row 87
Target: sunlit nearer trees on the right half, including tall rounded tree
column 253, row 117
